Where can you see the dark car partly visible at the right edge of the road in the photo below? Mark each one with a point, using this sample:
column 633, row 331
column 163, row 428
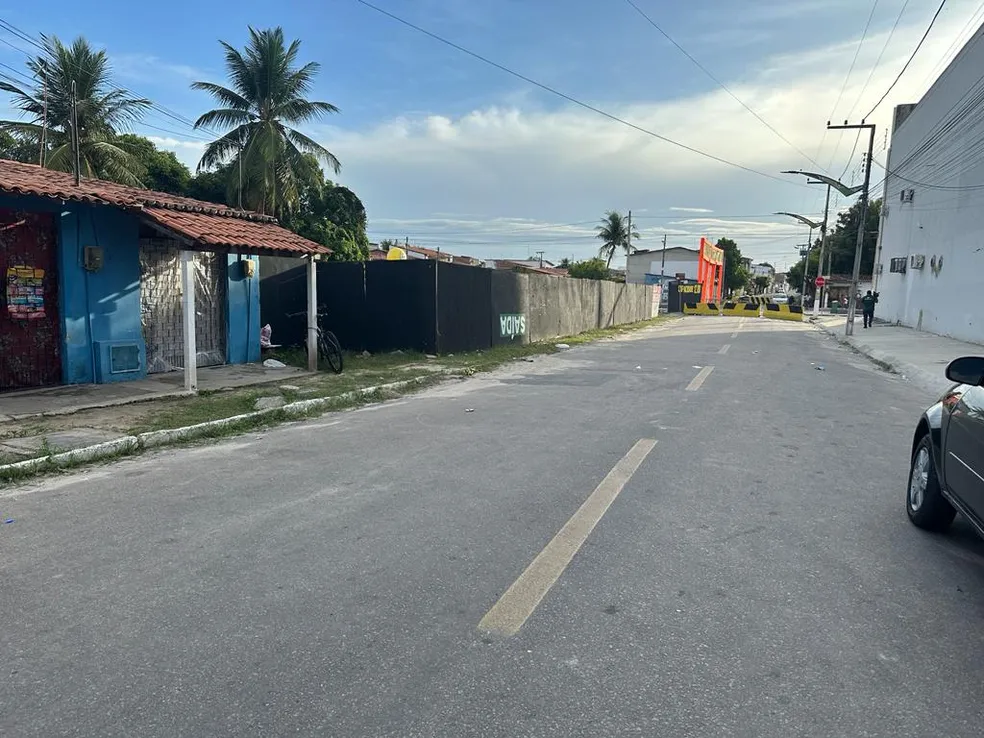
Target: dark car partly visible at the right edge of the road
column 947, row 471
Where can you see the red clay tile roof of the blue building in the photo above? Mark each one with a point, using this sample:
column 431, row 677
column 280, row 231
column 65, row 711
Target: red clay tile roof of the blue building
column 207, row 223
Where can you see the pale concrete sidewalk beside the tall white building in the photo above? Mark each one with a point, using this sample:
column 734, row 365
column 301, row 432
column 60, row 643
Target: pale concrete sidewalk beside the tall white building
column 918, row 356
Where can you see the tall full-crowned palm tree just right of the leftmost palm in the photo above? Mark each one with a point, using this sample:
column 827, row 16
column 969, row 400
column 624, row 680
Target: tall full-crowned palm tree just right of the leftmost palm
column 266, row 97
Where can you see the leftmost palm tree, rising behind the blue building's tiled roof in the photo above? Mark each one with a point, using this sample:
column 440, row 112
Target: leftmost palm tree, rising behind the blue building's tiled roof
column 103, row 111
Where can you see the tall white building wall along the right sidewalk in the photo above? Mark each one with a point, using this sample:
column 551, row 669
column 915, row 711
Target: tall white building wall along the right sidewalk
column 938, row 144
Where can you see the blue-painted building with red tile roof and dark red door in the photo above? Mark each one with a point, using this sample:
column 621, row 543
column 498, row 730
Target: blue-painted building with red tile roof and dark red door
column 92, row 287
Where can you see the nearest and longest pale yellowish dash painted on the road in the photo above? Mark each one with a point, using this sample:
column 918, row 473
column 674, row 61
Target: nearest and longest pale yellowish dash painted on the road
column 525, row 594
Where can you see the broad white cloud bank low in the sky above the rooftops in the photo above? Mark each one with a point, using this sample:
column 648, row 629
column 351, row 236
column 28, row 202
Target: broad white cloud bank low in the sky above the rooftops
column 517, row 175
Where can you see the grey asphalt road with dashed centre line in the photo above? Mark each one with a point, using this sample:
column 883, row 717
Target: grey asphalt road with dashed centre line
column 751, row 574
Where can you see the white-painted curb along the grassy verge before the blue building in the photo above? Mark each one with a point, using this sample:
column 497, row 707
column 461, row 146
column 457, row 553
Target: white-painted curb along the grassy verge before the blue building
column 152, row 439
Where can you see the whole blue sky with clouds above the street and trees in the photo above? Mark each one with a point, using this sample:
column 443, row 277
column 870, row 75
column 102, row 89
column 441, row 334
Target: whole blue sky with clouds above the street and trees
column 455, row 154
